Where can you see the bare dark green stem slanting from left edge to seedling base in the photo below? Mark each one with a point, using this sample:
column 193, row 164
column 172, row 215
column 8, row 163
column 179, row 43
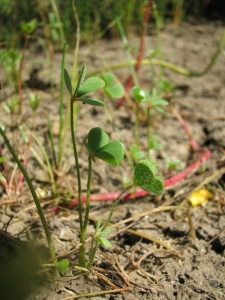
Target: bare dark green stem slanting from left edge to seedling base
column 36, row 200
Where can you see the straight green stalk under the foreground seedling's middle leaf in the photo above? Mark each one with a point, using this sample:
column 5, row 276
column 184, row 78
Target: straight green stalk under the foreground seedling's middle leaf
column 88, row 203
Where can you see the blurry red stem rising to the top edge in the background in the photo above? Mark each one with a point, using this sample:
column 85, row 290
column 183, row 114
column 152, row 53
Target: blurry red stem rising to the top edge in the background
column 129, row 83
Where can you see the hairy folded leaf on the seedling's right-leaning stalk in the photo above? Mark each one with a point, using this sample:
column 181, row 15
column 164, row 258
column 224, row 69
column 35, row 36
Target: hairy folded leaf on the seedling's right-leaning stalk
column 144, row 177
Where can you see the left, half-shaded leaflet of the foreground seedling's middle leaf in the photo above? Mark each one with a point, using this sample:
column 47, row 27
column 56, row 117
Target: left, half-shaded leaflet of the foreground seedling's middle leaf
column 97, row 138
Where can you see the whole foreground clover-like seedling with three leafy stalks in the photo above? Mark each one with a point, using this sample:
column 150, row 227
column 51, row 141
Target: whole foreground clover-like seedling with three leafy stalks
column 98, row 145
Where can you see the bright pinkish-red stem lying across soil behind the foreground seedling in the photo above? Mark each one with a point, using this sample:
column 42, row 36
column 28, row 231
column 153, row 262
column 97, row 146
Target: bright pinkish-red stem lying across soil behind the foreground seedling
column 139, row 192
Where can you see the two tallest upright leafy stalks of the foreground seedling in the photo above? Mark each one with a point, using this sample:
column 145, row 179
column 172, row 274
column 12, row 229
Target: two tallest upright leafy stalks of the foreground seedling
column 97, row 145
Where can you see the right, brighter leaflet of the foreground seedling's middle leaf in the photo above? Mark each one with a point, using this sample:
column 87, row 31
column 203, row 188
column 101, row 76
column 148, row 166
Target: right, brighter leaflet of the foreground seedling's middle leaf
column 111, row 153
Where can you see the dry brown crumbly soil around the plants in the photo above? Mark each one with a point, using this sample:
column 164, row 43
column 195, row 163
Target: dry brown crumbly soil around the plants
column 191, row 263
